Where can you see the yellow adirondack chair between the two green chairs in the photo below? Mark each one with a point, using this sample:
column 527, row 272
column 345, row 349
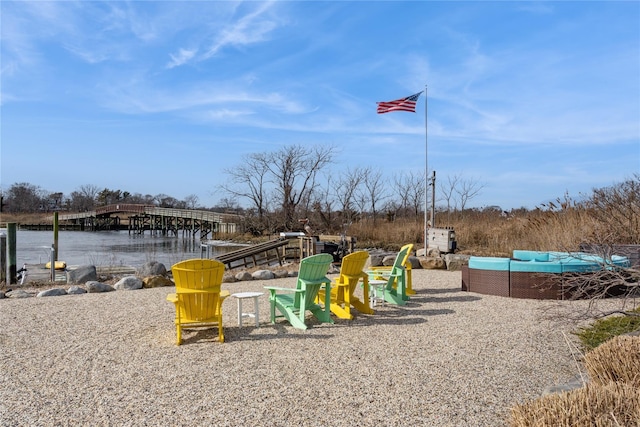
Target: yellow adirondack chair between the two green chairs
column 342, row 290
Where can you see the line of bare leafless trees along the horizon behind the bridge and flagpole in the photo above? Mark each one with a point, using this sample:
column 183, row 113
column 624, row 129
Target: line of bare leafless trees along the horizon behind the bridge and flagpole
column 275, row 190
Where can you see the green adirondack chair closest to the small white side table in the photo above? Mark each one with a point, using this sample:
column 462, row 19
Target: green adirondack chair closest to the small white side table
column 294, row 304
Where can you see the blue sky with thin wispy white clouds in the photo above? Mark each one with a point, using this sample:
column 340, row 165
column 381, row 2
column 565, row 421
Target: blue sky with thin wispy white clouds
column 530, row 99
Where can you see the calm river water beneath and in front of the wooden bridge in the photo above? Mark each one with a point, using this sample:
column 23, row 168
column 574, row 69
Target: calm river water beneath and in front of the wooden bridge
column 109, row 248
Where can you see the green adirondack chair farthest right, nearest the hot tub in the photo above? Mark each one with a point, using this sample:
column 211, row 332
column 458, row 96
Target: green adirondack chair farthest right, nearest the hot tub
column 390, row 285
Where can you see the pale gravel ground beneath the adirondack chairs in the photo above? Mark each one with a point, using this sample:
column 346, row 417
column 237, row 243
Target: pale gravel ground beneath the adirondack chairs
column 447, row 358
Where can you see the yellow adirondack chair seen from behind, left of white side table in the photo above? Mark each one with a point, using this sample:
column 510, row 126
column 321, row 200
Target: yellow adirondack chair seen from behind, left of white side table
column 198, row 298
